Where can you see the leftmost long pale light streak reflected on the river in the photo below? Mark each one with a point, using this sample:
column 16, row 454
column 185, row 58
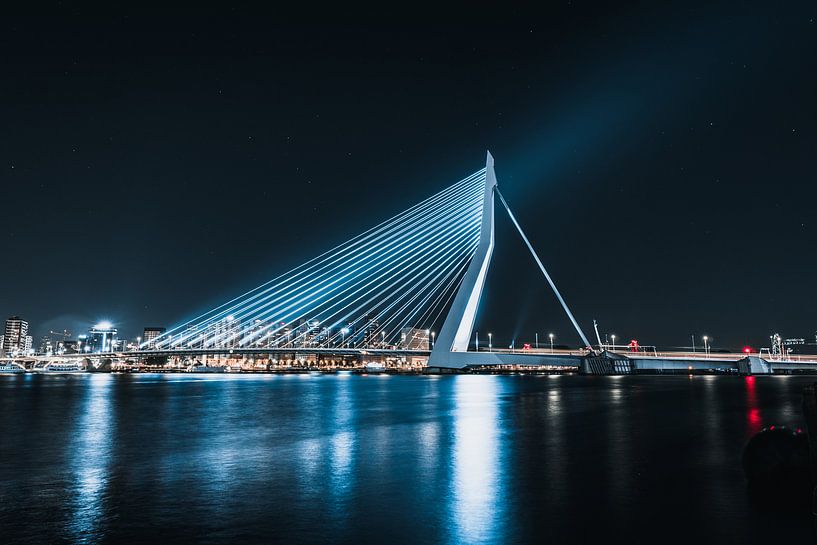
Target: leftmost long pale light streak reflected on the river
column 91, row 452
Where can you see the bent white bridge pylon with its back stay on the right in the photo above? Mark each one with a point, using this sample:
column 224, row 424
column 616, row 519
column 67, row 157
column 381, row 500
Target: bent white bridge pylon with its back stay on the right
column 451, row 348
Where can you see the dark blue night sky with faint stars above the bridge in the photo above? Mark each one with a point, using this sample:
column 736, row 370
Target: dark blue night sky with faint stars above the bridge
column 661, row 159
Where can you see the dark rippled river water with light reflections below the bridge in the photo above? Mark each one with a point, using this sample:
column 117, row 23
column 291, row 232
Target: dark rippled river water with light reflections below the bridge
column 378, row 459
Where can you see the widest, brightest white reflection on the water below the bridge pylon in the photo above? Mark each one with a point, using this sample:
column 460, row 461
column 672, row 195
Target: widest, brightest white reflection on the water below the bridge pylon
column 477, row 495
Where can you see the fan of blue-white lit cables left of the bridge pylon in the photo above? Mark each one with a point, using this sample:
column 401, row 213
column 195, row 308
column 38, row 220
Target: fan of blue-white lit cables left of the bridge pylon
column 400, row 274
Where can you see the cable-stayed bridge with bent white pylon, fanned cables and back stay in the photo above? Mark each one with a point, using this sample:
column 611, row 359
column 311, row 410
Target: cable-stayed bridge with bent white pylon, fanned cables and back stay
column 384, row 290
